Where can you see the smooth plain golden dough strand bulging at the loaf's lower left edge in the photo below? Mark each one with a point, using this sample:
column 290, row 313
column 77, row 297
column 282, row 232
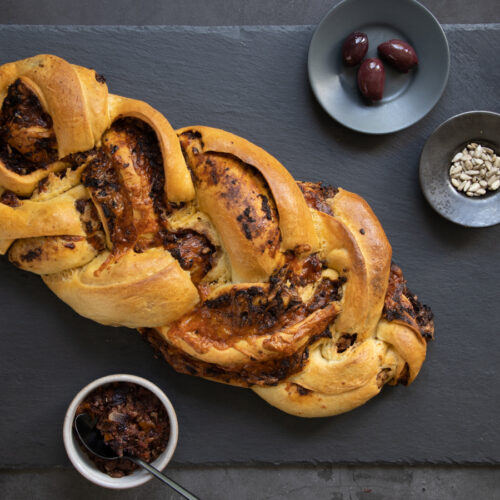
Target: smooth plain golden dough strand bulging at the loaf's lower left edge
column 142, row 289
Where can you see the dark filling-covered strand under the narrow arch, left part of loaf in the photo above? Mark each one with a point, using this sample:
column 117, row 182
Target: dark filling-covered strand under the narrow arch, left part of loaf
column 126, row 181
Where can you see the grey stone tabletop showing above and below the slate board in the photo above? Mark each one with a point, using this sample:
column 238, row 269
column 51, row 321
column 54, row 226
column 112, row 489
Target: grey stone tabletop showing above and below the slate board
column 256, row 482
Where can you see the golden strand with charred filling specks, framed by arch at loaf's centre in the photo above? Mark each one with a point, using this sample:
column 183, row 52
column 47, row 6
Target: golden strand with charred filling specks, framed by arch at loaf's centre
column 241, row 208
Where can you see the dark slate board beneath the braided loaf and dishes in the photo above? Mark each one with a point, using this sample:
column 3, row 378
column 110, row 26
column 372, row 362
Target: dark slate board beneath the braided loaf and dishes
column 253, row 82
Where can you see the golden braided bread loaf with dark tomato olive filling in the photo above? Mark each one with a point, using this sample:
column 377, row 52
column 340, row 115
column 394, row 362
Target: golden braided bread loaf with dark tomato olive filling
column 204, row 242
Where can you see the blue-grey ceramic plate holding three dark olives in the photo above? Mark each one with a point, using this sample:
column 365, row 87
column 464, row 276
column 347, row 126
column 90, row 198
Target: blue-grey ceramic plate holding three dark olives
column 407, row 97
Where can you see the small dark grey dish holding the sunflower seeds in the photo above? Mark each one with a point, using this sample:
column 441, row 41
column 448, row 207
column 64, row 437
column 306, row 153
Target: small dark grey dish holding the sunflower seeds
column 448, row 139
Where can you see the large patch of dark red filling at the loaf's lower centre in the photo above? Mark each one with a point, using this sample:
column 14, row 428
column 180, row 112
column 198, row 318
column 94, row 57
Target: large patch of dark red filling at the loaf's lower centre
column 262, row 309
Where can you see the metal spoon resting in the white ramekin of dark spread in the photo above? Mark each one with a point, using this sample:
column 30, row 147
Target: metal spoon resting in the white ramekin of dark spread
column 91, row 438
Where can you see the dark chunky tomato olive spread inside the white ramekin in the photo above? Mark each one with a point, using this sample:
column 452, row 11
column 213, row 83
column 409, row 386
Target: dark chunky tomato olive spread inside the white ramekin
column 132, row 421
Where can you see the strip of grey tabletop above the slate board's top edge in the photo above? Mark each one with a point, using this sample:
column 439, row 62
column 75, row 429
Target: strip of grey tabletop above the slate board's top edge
column 214, row 12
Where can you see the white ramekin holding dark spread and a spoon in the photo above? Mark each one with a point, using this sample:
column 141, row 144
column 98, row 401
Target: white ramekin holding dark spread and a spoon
column 86, row 467
